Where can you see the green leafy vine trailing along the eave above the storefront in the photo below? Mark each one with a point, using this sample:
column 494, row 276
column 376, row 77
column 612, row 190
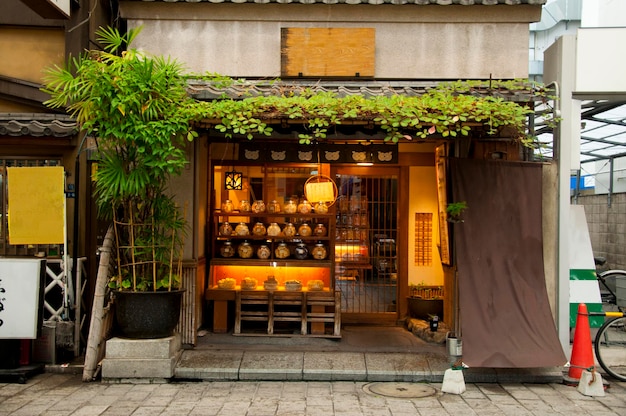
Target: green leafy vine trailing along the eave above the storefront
column 449, row 110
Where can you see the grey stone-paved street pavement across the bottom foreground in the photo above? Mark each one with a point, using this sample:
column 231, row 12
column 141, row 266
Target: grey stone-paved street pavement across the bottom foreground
column 56, row 394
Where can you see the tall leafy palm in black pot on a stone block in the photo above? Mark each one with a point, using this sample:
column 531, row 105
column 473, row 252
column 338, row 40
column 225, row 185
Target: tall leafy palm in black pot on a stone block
column 137, row 109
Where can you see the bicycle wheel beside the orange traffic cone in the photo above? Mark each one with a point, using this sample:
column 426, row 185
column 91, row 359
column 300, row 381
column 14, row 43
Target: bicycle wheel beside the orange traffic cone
column 610, row 346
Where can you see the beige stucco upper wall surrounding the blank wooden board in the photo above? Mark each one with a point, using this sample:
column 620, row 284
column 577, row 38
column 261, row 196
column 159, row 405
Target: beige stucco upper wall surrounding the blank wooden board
column 415, row 42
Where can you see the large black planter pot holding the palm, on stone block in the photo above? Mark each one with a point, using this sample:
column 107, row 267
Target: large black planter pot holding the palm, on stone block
column 144, row 315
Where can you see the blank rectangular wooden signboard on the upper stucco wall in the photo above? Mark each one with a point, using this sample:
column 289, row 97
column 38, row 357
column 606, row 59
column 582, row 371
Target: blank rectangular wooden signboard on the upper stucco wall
column 327, row 52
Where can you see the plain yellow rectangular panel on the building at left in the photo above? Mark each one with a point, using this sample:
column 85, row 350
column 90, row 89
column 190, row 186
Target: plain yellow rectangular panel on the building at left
column 36, row 205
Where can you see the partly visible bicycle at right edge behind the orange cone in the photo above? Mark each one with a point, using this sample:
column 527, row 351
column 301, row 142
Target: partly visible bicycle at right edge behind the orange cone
column 610, row 341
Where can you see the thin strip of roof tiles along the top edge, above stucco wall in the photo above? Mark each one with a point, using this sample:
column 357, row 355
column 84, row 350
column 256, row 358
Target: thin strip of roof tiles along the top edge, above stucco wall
column 374, row 2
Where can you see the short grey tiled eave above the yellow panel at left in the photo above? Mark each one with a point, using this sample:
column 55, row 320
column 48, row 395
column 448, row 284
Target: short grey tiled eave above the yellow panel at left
column 37, row 125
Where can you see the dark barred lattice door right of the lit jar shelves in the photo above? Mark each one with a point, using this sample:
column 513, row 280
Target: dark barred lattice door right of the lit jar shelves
column 366, row 261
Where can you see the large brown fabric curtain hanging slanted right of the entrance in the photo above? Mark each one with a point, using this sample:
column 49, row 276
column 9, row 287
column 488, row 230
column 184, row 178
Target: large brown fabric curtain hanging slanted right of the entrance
column 505, row 315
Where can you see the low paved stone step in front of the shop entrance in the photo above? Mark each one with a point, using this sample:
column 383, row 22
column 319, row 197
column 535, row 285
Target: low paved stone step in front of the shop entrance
column 363, row 354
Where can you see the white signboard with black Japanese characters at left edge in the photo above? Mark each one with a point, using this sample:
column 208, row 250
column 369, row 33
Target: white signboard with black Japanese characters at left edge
column 21, row 291
